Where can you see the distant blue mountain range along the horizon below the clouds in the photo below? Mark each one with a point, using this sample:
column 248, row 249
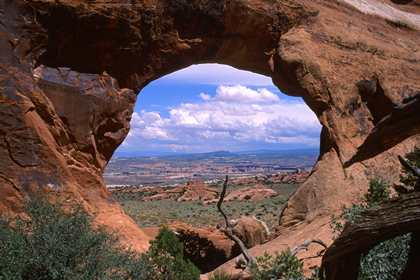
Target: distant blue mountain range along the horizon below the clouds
column 147, row 154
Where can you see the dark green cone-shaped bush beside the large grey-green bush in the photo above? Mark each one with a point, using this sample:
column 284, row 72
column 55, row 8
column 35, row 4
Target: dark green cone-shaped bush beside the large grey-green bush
column 167, row 255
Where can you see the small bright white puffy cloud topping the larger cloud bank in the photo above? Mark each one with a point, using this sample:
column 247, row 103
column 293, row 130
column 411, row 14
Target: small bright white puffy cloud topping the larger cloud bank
column 241, row 94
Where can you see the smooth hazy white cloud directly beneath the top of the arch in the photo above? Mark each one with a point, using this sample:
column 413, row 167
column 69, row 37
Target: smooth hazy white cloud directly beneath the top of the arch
column 216, row 74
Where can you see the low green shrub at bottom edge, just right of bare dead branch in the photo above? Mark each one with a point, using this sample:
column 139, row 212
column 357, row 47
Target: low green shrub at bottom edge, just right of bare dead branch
column 281, row 266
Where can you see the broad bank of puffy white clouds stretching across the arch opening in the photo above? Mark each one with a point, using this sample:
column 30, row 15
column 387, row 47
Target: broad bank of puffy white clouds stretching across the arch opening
column 226, row 120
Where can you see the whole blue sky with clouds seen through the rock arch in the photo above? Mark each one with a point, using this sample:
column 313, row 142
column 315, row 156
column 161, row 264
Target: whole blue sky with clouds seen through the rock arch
column 213, row 107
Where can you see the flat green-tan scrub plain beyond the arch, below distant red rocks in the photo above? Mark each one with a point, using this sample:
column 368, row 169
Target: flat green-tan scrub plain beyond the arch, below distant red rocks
column 154, row 213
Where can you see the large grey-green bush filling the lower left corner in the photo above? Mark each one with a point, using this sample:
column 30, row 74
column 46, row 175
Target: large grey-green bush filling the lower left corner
column 56, row 242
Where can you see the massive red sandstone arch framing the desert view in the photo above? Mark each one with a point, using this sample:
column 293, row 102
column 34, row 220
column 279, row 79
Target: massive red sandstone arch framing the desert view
column 60, row 123
